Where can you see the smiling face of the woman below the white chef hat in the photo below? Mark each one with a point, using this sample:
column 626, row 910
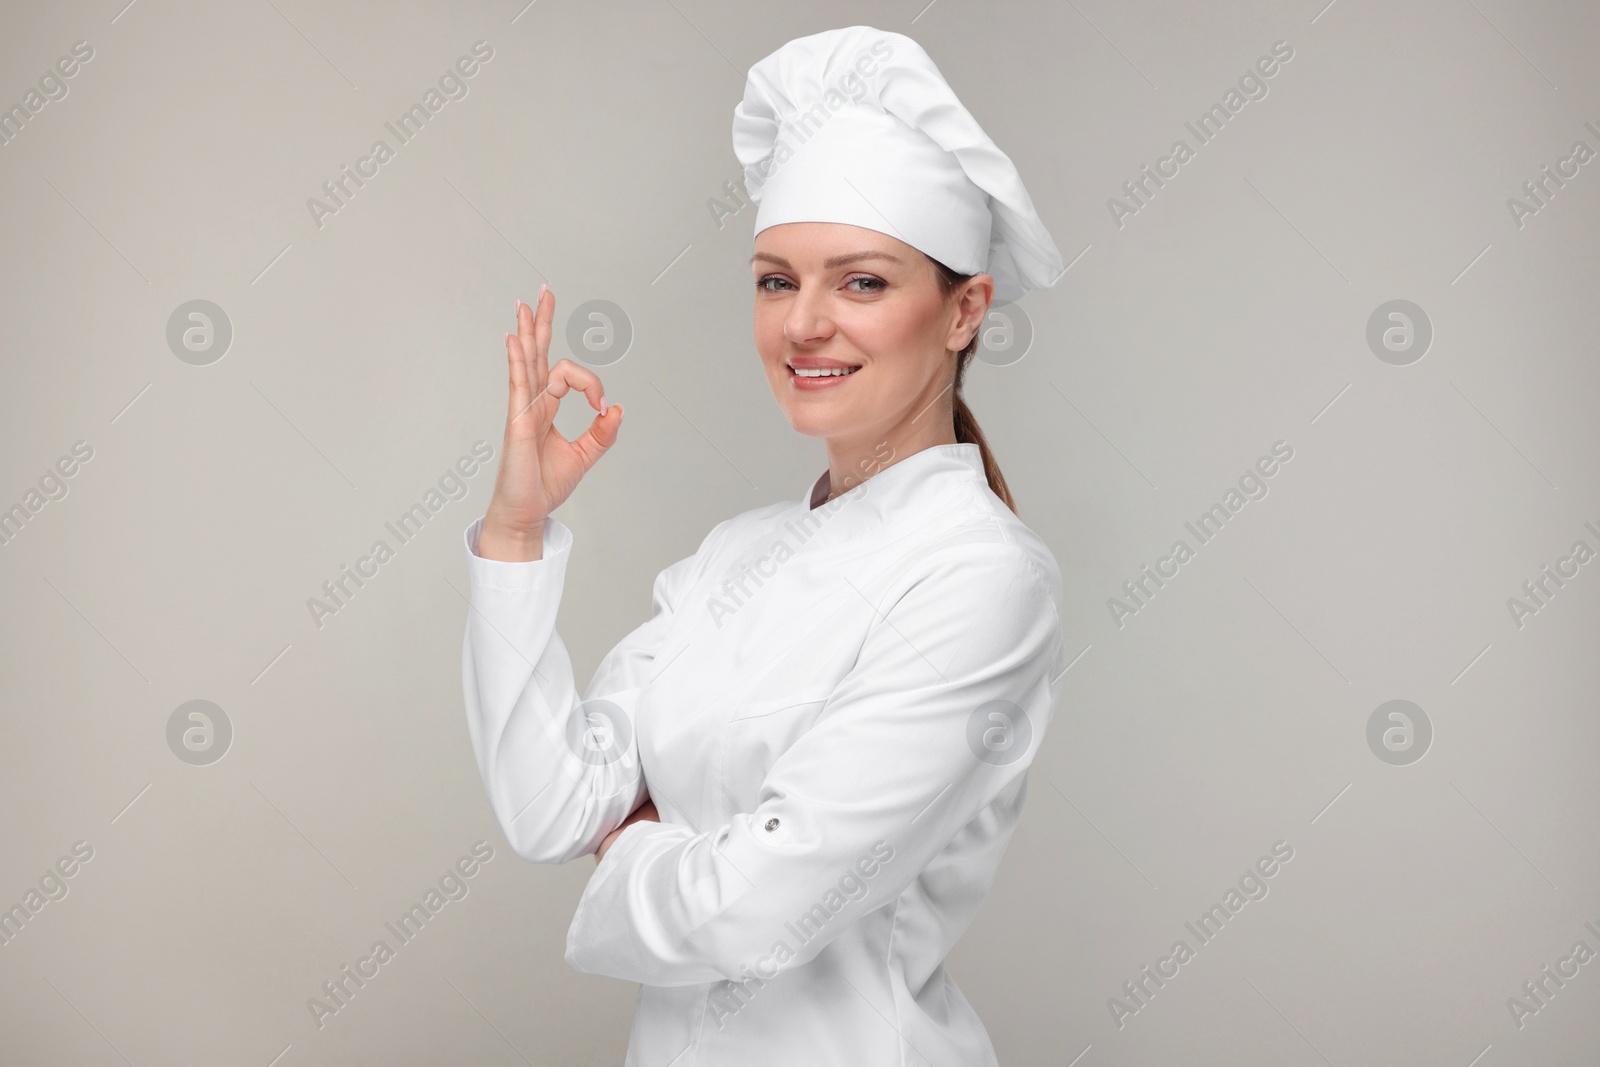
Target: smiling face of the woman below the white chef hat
column 831, row 295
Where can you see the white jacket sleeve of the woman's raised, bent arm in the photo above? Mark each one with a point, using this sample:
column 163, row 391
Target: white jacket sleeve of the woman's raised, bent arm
column 561, row 772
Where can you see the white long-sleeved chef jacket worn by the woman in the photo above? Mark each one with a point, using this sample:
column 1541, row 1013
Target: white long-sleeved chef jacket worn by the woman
column 834, row 706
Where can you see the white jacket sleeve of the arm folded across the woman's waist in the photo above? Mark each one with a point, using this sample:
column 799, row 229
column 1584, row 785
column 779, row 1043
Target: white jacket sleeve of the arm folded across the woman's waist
column 892, row 767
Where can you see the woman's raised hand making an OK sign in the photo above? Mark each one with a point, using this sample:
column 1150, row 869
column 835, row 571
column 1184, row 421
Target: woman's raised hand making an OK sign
column 538, row 468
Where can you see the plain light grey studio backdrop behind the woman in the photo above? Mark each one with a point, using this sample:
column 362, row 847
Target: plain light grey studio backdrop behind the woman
column 367, row 358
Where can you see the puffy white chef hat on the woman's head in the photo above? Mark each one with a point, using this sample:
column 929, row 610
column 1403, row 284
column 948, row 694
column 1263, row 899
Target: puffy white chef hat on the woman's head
column 857, row 126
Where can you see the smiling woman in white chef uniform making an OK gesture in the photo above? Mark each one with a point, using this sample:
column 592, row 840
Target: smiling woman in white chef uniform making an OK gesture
column 801, row 773
